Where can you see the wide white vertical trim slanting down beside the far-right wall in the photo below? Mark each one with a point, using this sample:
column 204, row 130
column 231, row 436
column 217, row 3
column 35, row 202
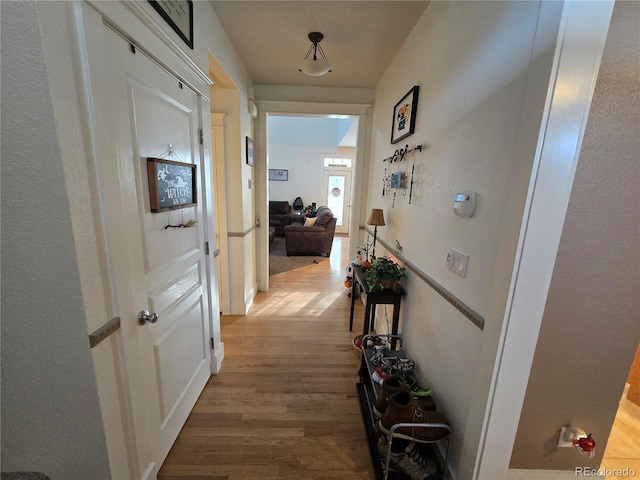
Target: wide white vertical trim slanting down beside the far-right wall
column 581, row 40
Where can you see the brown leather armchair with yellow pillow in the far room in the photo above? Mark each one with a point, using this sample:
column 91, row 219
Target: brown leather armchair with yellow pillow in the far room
column 316, row 240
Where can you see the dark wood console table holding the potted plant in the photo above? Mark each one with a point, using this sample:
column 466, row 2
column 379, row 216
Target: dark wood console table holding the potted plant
column 386, row 297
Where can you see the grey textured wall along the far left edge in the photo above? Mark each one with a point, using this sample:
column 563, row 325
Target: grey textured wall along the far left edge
column 51, row 418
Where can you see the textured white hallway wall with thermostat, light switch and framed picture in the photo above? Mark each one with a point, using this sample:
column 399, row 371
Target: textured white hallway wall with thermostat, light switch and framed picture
column 483, row 71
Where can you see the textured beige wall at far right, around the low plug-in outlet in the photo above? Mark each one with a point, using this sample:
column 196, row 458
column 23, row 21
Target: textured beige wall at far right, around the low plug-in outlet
column 591, row 322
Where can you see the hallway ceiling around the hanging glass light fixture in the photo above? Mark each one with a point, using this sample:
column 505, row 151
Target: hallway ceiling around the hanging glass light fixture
column 360, row 37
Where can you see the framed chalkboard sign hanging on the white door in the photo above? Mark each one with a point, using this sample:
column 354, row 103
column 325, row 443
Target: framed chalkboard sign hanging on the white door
column 172, row 185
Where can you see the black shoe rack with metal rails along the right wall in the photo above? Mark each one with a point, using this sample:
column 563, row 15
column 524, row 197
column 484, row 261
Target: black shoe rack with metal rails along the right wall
column 368, row 391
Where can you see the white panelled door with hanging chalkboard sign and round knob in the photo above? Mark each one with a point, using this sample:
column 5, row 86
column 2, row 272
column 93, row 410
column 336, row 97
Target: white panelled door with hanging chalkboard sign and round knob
column 159, row 268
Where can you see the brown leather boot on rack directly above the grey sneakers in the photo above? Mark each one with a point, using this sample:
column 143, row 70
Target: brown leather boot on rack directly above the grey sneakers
column 403, row 408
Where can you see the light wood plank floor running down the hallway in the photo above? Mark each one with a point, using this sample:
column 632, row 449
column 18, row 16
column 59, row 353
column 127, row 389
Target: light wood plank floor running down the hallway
column 284, row 405
